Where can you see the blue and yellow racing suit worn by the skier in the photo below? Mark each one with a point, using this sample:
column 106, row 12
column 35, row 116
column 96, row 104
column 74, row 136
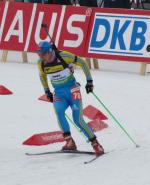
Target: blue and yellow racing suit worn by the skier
column 66, row 89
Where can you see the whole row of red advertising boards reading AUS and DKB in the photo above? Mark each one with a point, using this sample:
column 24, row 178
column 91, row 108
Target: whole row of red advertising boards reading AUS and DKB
column 116, row 34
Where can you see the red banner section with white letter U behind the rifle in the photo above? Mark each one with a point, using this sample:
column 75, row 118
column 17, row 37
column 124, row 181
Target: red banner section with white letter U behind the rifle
column 46, row 14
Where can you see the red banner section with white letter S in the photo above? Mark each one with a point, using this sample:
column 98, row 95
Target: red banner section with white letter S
column 74, row 30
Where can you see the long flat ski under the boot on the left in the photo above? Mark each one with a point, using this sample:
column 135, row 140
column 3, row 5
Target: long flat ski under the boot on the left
column 62, row 152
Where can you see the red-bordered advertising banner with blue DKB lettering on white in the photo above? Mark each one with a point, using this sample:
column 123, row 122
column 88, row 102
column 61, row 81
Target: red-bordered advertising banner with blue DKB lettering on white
column 123, row 35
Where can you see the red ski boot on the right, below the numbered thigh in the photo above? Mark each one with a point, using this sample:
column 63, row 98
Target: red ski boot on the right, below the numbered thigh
column 97, row 147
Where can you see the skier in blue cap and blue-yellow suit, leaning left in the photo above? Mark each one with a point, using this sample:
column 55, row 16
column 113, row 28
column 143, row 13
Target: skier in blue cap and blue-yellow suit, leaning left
column 58, row 67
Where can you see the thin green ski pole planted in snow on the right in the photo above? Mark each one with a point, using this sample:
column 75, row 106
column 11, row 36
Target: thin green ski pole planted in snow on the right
column 116, row 121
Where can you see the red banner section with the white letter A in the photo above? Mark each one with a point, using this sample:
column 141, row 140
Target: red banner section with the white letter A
column 14, row 34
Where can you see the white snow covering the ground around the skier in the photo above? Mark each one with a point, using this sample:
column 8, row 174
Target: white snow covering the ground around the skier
column 125, row 93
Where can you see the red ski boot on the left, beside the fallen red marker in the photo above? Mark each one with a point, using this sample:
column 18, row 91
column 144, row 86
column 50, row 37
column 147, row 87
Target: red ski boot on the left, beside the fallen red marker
column 70, row 144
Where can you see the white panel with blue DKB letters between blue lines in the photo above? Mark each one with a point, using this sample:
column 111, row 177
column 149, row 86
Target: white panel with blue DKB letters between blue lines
column 118, row 34
